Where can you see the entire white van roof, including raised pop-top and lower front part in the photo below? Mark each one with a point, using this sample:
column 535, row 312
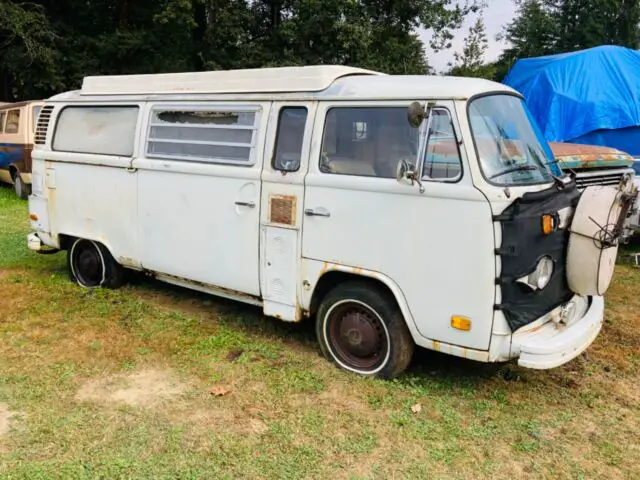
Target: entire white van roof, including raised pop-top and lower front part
column 329, row 82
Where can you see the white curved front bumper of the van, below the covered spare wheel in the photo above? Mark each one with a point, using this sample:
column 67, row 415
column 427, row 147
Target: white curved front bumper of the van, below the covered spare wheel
column 549, row 345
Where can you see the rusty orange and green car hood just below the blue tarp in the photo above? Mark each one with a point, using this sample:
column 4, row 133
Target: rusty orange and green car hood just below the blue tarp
column 577, row 157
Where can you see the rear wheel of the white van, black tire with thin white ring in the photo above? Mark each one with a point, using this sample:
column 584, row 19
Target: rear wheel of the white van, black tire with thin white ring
column 91, row 265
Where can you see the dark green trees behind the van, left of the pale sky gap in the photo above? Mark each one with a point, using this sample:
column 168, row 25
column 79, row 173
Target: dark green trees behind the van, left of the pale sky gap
column 47, row 47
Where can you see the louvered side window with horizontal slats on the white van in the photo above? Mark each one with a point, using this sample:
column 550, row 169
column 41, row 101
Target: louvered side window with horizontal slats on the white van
column 200, row 135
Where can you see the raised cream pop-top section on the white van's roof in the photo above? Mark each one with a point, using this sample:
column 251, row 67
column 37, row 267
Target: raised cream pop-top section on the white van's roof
column 260, row 80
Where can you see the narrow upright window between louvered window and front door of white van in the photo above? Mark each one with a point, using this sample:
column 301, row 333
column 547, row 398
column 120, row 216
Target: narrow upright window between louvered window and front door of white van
column 288, row 150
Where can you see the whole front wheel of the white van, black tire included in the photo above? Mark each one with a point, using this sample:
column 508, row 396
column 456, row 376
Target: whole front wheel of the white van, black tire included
column 360, row 329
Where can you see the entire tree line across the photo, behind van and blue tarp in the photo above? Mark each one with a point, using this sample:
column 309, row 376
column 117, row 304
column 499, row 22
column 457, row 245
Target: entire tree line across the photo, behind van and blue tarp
column 48, row 46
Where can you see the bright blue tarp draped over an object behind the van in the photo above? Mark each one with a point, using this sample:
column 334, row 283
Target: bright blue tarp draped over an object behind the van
column 573, row 95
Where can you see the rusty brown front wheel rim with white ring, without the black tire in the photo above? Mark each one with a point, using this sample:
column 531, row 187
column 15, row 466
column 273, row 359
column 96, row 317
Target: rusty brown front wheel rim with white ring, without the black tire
column 357, row 336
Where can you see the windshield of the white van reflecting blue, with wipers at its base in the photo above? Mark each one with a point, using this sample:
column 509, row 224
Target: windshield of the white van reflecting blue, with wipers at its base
column 511, row 149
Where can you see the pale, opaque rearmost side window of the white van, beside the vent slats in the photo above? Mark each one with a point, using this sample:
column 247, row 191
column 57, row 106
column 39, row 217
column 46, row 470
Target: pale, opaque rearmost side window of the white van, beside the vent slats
column 97, row 130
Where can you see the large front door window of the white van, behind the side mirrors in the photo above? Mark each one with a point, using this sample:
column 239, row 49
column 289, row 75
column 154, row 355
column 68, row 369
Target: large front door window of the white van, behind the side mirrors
column 367, row 141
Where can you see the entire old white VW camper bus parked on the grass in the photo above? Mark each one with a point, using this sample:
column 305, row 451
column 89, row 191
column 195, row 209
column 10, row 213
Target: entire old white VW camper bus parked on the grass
column 395, row 210
